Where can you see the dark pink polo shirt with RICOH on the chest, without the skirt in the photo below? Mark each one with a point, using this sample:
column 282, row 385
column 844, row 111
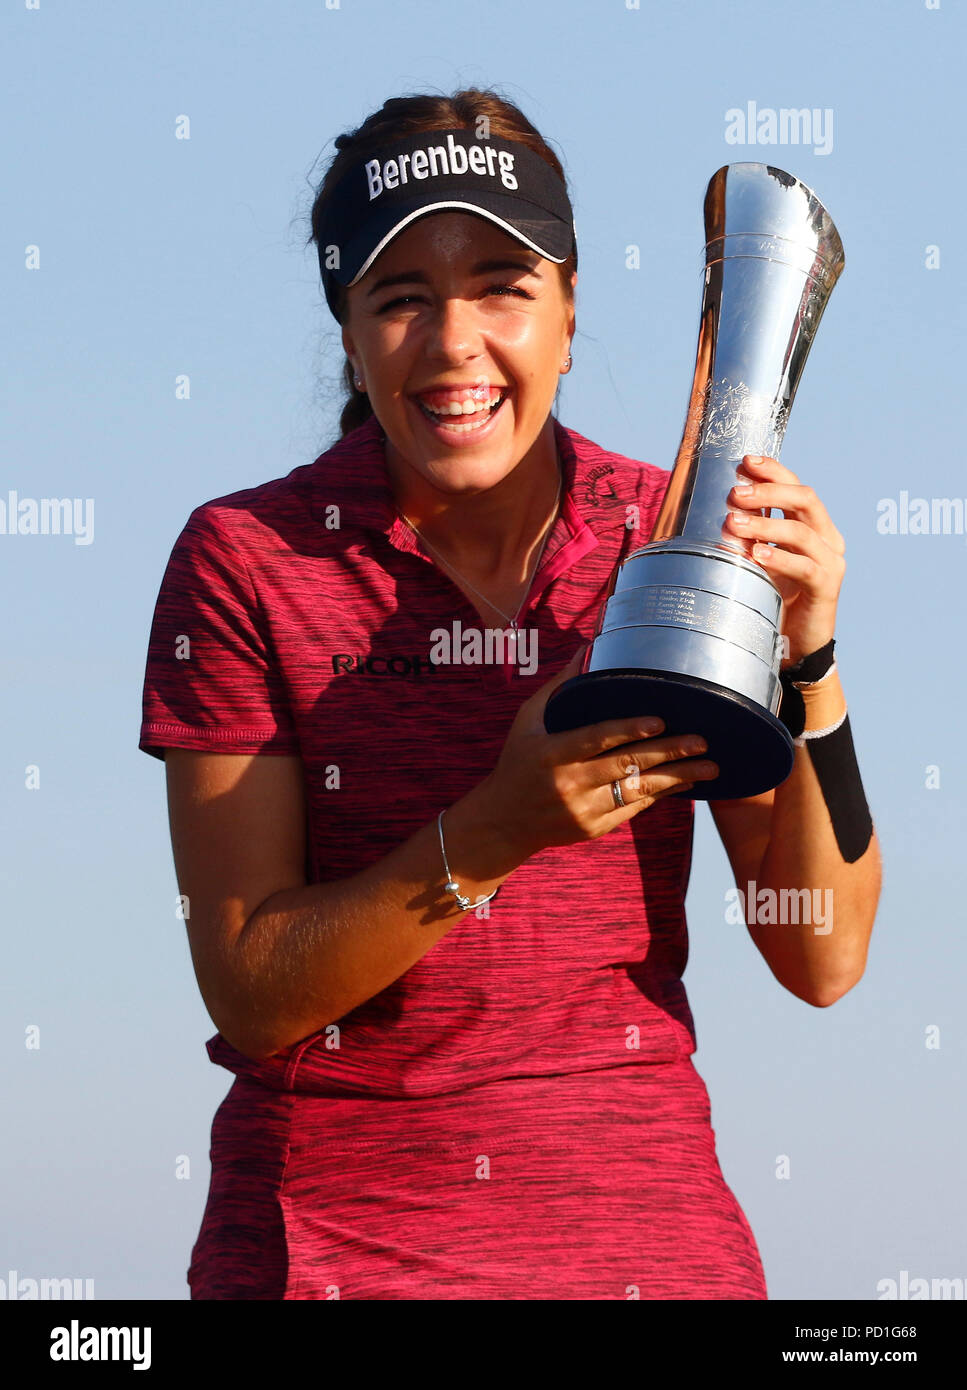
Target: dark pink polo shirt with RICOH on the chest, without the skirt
column 298, row 618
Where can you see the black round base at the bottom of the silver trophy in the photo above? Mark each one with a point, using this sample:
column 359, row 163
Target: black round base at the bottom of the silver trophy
column 754, row 750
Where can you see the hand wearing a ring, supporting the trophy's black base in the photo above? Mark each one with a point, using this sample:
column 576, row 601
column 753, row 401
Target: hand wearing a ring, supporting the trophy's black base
column 556, row 789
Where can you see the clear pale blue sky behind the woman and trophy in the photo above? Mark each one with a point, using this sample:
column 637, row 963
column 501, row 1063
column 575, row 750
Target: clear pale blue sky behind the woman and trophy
column 160, row 256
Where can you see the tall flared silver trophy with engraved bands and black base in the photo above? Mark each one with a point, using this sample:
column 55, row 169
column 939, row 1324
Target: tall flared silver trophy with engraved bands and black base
column 691, row 626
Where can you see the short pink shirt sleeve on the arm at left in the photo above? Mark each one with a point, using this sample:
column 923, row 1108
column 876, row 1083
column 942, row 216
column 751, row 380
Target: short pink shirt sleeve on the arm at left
column 212, row 680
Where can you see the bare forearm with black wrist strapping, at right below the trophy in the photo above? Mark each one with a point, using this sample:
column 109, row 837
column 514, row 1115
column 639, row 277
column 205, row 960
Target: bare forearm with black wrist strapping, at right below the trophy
column 818, row 943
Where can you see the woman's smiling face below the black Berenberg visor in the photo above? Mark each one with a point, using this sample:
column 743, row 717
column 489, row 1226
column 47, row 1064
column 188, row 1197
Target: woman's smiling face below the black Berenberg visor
column 459, row 333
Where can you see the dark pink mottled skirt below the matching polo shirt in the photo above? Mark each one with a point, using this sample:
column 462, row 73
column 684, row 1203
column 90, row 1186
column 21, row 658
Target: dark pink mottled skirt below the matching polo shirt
column 597, row 1185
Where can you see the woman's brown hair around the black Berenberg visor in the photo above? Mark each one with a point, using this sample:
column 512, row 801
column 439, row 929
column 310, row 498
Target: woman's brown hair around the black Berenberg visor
column 404, row 116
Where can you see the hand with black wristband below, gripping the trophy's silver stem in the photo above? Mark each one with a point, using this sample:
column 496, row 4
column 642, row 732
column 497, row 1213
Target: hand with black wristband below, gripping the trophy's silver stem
column 807, row 562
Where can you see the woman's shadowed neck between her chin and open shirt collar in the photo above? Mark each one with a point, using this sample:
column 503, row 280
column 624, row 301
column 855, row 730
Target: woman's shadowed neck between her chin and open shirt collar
column 488, row 534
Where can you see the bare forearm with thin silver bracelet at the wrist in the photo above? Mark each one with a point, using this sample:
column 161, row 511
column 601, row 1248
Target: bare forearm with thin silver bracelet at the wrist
column 309, row 956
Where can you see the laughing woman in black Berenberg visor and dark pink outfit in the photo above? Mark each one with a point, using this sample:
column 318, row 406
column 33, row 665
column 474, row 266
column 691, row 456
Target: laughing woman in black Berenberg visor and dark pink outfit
column 443, row 949
